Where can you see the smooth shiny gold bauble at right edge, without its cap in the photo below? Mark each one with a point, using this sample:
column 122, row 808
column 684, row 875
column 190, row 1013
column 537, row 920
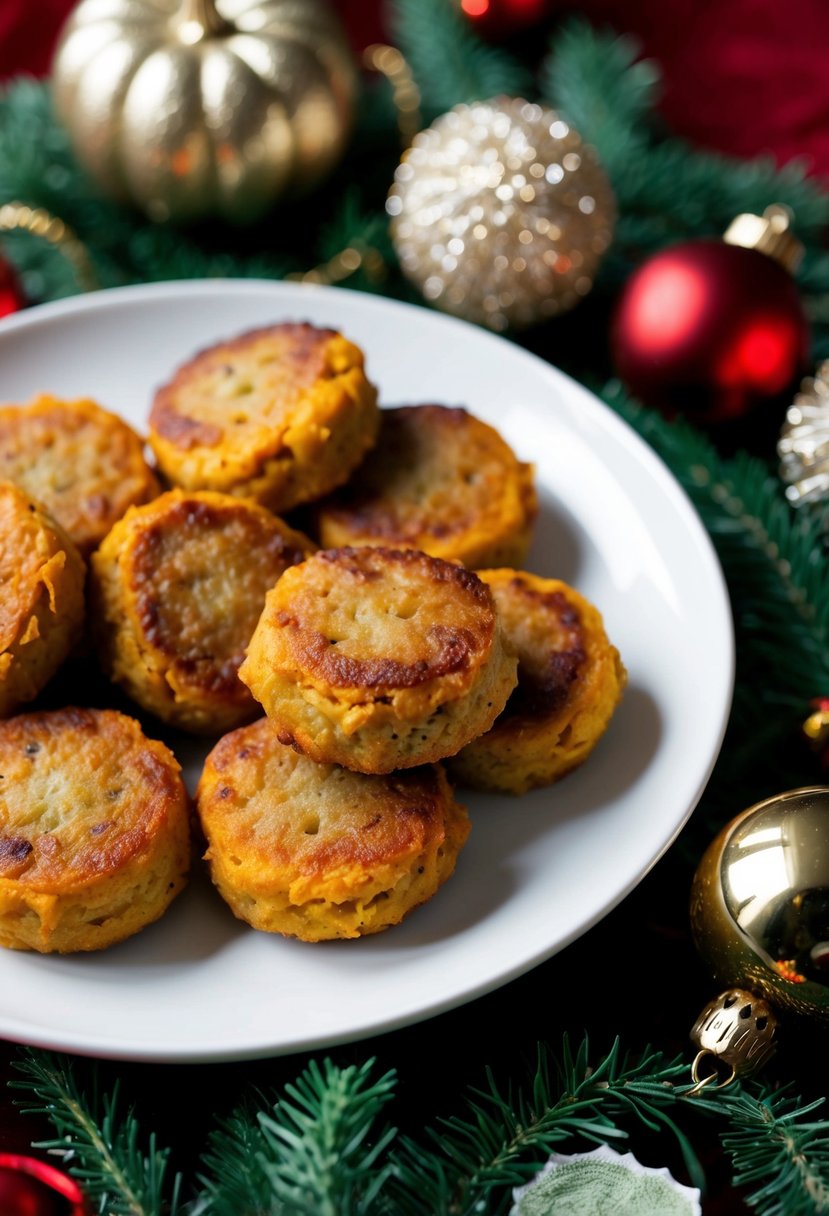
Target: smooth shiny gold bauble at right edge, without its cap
column 760, row 903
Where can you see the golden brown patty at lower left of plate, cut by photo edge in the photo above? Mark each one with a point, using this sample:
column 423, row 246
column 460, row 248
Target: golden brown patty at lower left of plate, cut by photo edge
column 94, row 830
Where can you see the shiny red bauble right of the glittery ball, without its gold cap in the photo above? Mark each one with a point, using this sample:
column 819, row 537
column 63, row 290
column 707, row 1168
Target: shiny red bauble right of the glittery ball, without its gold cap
column 709, row 330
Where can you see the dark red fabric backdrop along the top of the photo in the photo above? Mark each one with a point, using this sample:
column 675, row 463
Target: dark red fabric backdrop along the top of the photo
column 741, row 76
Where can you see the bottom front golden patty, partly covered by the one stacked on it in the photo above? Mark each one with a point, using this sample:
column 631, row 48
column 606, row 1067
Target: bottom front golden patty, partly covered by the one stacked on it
column 315, row 852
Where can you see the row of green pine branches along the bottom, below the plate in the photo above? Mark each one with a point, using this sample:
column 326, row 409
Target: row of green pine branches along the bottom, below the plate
column 319, row 1151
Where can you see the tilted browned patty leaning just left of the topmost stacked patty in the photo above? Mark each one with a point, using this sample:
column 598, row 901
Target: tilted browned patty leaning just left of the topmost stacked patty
column 178, row 588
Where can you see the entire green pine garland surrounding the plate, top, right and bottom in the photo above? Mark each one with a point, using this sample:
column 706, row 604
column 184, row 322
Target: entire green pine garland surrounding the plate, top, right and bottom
column 322, row 1149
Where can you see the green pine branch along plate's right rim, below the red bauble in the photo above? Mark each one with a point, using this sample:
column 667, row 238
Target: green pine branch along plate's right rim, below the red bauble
column 779, row 581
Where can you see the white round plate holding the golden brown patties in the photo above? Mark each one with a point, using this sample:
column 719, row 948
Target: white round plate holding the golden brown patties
column 538, row 871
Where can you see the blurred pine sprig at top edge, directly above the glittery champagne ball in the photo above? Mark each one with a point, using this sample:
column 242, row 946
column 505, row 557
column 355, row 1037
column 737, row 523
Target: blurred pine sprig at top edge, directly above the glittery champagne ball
column 449, row 61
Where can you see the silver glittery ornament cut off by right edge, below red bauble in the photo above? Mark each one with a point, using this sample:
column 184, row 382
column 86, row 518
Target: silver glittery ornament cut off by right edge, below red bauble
column 804, row 444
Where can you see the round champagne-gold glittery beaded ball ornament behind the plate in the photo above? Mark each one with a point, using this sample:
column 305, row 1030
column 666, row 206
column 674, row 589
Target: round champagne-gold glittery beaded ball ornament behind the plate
column 501, row 215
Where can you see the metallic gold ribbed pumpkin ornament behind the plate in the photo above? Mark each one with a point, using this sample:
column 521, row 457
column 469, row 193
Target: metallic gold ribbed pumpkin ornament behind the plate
column 195, row 109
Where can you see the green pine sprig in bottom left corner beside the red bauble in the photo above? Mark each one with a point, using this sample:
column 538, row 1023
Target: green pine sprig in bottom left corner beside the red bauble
column 99, row 1146
